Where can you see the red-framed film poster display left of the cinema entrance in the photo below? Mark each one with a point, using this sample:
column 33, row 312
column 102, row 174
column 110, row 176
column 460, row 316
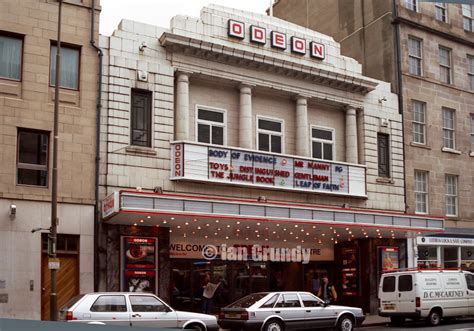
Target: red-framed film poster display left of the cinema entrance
column 139, row 267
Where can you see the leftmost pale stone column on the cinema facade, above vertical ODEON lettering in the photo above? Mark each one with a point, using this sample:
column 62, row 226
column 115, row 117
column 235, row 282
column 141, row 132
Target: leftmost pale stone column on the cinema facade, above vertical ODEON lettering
column 182, row 106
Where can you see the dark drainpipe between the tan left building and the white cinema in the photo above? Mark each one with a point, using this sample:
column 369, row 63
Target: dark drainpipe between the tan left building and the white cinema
column 97, row 154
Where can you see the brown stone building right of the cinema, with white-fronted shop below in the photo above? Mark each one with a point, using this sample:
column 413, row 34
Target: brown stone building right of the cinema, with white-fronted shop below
column 426, row 50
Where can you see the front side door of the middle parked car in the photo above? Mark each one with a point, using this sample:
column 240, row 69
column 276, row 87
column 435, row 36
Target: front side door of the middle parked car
column 317, row 315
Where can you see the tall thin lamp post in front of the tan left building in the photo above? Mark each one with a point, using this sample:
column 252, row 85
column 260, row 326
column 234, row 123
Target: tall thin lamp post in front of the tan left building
column 53, row 263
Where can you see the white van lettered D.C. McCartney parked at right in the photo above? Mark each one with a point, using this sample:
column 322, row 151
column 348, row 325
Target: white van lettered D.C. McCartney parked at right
column 430, row 294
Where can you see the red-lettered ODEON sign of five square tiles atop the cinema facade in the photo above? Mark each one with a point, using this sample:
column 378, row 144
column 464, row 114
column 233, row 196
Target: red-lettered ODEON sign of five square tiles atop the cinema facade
column 258, row 35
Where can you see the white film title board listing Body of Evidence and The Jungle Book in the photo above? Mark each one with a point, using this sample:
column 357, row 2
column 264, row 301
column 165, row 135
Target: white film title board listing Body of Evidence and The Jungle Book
column 266, row 170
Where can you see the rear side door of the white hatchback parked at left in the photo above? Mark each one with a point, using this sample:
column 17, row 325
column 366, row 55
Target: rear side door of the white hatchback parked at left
column 109, row 309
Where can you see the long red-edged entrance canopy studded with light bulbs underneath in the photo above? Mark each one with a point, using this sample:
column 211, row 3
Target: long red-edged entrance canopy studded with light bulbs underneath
column 252, row 220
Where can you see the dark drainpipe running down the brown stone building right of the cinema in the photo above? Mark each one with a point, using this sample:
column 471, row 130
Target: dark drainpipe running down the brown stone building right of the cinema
column 400, row 91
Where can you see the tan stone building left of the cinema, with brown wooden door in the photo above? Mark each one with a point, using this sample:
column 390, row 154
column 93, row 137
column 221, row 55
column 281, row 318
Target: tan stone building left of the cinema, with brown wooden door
column 28, row 34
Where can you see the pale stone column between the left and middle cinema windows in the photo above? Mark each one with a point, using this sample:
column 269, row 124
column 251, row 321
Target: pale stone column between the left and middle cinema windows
column 245, row 117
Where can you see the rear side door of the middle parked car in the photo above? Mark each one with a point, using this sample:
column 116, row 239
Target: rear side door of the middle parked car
column 291, row 311
